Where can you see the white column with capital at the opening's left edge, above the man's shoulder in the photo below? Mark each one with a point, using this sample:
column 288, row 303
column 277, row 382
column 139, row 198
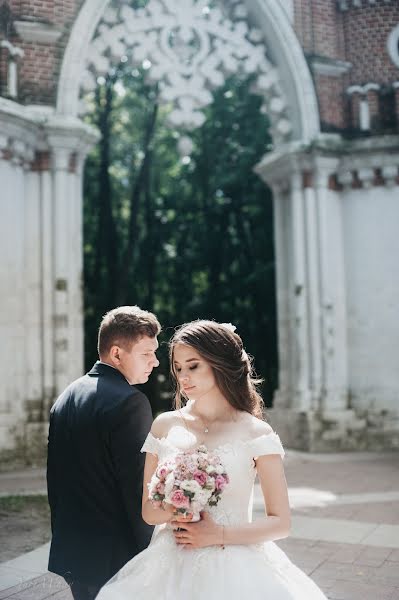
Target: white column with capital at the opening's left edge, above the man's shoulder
column 69, row 143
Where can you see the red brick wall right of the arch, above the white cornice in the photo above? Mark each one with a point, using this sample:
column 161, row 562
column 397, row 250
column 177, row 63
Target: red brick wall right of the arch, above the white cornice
column 358, row 36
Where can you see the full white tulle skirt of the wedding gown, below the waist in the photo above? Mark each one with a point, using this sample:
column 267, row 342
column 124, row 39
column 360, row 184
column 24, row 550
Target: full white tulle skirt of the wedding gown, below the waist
column 165, row 571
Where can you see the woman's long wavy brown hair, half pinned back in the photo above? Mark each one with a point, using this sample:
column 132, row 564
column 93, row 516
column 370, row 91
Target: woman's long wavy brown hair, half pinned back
column 223, row 350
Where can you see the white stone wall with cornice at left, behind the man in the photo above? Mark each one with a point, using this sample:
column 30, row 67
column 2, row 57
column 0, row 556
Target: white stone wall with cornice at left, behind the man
column 41, row 328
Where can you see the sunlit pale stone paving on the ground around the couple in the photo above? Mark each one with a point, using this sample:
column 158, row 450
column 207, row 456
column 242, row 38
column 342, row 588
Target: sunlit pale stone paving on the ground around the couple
column 345, row 528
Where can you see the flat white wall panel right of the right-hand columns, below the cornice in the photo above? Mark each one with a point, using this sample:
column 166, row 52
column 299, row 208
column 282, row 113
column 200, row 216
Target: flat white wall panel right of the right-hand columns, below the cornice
column 371, row 248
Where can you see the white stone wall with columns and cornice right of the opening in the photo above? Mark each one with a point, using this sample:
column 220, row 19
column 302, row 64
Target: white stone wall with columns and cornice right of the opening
column 337, row 246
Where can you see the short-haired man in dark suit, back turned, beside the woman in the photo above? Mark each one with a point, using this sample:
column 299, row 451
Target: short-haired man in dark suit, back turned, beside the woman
column 94, row 467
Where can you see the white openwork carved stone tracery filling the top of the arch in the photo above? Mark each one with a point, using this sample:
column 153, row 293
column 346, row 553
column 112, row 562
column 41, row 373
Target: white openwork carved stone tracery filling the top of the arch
column 190, row 47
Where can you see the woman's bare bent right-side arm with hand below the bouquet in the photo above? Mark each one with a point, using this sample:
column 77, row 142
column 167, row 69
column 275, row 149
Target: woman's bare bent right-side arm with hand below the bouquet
column 275, row 525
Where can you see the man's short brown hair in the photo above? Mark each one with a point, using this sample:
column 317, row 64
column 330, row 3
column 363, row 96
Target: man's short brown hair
column 124, row 325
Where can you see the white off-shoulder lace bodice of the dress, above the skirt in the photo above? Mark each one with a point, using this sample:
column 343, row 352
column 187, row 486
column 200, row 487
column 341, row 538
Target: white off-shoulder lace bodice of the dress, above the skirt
column 238, row 458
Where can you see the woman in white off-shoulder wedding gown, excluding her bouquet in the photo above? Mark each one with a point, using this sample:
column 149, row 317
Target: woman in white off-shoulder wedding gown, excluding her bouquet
column 224, row 555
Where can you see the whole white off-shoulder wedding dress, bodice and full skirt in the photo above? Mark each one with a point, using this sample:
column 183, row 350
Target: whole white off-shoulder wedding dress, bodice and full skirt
column 166, row 571
